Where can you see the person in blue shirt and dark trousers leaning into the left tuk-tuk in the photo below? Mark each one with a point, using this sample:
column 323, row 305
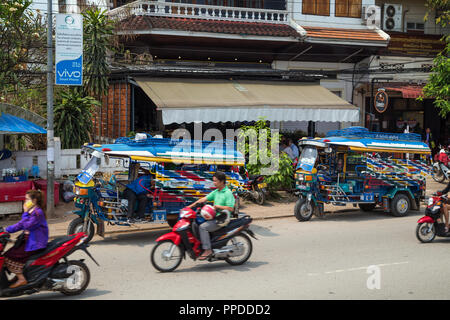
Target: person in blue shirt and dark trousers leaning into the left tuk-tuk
column 138, row 189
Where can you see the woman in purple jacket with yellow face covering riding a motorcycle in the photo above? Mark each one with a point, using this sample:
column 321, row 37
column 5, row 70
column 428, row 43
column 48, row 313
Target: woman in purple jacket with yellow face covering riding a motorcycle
column 35, row 229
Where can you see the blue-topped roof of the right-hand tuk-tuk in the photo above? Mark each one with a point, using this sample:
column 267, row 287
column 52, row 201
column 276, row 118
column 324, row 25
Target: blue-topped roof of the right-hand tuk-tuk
column 361, row 139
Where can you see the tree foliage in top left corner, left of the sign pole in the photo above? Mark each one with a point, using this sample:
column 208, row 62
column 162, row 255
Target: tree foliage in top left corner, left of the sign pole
column 22, row 41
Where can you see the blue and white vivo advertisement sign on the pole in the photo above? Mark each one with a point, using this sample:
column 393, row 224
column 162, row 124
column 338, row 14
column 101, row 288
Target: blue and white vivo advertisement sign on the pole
column 69, row 49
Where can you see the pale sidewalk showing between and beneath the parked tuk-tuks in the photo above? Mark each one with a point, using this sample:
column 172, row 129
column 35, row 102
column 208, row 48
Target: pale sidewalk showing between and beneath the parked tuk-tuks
column 281, row 208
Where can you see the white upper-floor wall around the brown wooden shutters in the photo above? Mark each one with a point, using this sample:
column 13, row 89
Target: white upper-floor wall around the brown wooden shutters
column 331, row 21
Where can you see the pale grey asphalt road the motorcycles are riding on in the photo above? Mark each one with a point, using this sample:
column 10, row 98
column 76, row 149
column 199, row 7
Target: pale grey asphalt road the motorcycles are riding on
column 325, row 258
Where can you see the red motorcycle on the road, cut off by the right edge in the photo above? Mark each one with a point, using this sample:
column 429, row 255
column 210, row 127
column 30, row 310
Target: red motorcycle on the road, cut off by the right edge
column 431, row 224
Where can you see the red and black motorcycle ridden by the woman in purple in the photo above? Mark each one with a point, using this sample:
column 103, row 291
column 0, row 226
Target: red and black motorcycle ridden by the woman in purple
column 49, row 270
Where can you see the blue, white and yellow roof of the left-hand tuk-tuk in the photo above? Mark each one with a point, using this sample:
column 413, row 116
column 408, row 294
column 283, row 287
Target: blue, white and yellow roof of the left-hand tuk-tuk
column 152, row 149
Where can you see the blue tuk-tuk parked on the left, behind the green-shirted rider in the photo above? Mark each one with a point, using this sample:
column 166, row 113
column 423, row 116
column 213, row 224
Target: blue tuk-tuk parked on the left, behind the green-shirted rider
column 181, row 172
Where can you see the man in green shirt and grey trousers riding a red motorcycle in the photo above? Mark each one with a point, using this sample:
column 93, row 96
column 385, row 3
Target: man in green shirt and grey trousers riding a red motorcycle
column 223, row 199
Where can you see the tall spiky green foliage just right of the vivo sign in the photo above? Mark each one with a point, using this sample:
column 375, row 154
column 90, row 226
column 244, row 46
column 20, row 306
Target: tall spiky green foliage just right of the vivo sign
column 97, row 39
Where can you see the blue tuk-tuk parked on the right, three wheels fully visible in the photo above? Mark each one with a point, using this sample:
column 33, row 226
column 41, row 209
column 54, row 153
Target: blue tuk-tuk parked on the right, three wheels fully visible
column 362, row 168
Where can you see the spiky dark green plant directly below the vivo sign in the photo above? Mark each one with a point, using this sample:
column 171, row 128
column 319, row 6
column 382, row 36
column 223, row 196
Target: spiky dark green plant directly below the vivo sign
column 73, row 118
